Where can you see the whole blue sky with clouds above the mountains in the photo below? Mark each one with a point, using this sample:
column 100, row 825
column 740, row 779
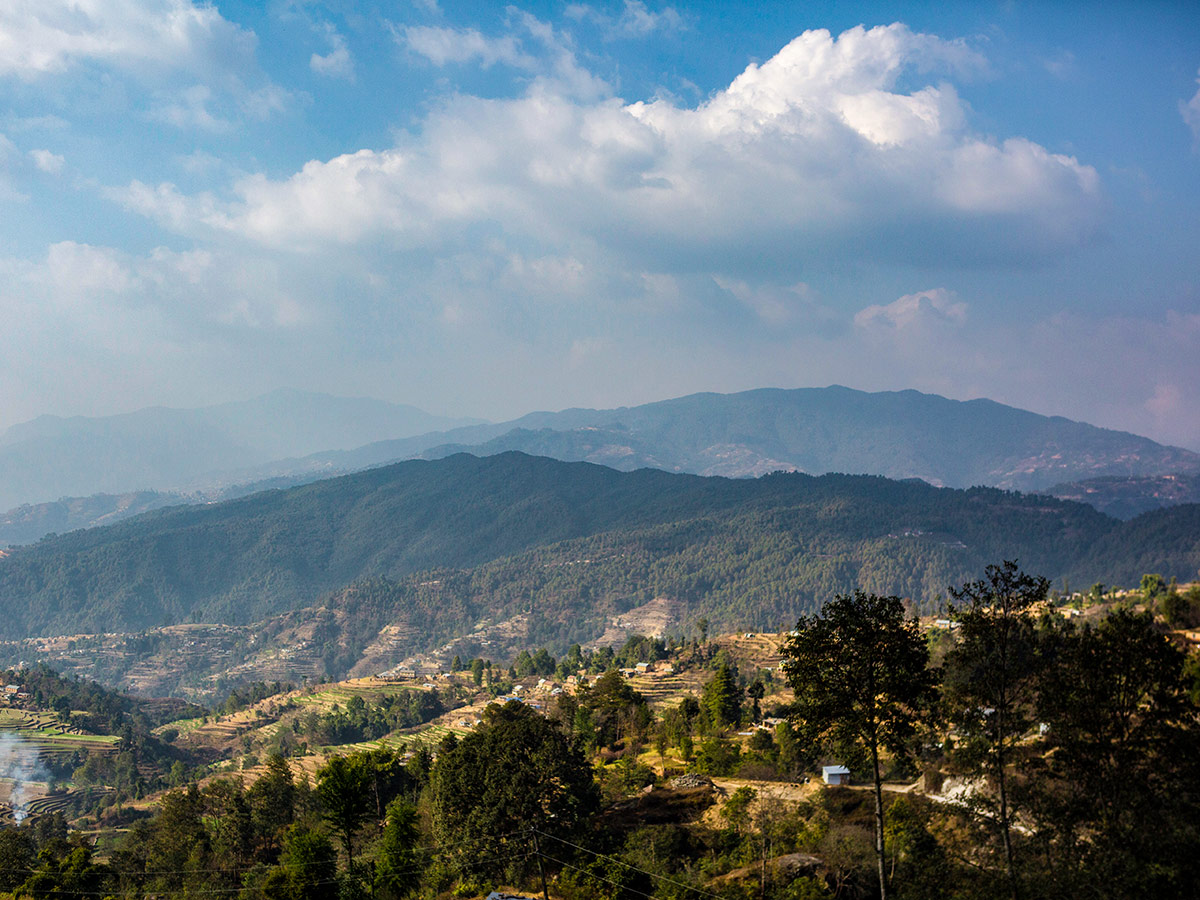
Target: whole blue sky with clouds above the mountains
column 484, row 209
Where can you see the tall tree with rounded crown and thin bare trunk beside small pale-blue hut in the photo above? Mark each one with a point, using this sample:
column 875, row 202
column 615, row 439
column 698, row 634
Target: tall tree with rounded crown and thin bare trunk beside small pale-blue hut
column 861, row 675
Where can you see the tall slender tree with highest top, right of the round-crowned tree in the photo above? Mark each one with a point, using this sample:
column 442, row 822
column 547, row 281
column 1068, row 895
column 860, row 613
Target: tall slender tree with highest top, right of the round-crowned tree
column 992, row 679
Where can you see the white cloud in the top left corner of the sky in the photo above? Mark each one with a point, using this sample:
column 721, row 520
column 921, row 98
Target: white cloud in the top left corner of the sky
column 41, row 37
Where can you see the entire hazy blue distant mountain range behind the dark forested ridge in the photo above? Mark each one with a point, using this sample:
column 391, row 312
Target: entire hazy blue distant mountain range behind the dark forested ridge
column 291, row 437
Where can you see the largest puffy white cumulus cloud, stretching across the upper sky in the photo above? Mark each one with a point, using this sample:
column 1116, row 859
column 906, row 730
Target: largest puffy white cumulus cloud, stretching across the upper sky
column 813, row 152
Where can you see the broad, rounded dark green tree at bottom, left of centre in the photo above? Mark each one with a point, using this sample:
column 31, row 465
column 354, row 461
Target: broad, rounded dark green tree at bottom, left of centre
column 515, row 772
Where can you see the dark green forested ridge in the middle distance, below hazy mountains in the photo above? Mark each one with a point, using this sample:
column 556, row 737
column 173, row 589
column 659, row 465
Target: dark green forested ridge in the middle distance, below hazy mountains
column 754, row 551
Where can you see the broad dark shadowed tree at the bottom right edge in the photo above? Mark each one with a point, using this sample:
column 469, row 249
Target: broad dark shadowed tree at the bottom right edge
column 1123, row 775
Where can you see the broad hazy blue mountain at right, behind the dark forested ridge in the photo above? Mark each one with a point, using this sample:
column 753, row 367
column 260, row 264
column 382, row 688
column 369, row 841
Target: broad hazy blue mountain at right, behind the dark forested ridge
column 815, row 430
